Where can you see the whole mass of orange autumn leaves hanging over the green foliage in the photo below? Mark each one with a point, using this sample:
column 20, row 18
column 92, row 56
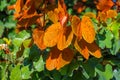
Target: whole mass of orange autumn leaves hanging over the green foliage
column 58, row 36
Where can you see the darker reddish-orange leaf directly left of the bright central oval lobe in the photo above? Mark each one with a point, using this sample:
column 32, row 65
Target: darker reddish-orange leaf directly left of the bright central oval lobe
column 38, row 38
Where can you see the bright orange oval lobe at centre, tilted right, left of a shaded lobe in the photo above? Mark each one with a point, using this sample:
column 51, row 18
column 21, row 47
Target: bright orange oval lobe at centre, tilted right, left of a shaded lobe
column 52, row 34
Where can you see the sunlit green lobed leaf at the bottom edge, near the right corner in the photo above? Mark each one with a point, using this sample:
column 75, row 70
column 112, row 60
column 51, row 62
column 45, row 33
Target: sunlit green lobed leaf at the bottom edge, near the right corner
column 105, row 75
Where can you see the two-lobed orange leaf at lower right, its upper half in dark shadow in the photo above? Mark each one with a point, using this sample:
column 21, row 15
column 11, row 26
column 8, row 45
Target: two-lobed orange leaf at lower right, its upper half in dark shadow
column 85, row 48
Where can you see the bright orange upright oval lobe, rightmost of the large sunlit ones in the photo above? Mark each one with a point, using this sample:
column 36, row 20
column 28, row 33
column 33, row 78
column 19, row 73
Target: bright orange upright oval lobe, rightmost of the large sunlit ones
column 87, row 28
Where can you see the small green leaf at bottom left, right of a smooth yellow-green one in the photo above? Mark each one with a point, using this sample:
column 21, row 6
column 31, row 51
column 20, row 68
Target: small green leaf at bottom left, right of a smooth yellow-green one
column 25, row 72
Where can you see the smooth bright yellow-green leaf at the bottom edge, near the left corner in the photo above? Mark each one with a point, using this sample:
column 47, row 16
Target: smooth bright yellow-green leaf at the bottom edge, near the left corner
column 16, row 73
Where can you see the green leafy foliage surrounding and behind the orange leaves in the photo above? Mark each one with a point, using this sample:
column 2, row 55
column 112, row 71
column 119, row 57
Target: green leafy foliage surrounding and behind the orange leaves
column 28, row 63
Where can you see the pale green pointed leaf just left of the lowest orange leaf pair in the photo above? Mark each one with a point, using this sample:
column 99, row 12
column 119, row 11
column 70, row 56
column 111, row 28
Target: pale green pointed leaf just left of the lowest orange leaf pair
column 39, row 65
